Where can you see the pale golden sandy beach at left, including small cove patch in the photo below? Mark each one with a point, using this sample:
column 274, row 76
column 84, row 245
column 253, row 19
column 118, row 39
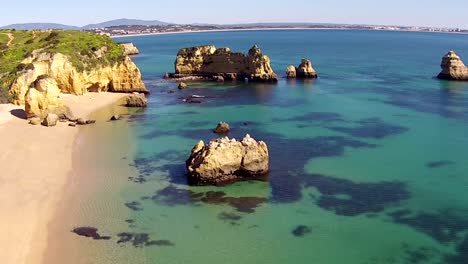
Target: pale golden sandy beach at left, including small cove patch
column 35, row 166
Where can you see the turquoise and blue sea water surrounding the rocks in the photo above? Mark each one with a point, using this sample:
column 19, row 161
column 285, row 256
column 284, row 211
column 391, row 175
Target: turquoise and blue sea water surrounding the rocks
column 368, row 163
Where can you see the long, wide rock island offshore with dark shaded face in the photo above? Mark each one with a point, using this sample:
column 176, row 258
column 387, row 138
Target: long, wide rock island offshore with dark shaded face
column 210, row 62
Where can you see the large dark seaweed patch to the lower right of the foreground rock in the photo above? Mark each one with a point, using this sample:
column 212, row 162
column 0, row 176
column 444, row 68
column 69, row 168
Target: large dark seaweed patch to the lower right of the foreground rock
column 348, row 198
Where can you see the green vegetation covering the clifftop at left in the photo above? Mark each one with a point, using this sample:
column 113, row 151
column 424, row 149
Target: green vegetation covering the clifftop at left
column 86, row 51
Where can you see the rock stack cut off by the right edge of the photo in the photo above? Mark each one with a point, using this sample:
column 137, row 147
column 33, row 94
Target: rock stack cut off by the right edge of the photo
column 453, row 68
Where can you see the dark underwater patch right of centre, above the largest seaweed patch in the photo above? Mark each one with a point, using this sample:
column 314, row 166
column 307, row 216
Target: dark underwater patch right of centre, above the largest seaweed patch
column 372, row 128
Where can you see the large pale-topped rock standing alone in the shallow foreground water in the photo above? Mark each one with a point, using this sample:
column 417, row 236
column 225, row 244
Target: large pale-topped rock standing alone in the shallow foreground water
column 225, row 161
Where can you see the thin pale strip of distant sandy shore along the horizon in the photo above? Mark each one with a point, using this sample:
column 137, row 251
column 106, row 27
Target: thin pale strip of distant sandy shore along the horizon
column 273, row 29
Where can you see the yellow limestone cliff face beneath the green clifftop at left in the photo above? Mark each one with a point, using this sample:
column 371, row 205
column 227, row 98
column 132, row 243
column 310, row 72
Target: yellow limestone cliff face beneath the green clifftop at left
column 123, row 76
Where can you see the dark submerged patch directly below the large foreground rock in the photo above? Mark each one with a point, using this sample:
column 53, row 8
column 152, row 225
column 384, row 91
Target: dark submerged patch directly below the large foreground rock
column 173, row 196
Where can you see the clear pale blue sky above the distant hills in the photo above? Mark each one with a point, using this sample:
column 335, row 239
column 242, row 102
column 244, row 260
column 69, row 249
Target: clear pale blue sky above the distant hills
column 447, row 13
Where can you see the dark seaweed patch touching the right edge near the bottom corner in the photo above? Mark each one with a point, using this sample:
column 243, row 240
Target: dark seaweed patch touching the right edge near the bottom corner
column 444, row 226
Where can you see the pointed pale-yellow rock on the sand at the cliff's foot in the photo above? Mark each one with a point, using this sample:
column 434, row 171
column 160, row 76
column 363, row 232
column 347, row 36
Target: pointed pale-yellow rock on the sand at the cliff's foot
column 44, row 98
